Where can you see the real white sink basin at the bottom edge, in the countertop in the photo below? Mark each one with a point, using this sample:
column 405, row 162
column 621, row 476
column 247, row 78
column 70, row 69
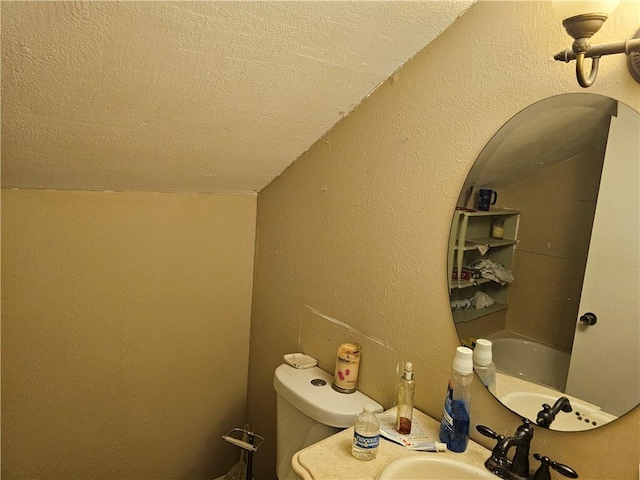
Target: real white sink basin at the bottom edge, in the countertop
column 430, row 466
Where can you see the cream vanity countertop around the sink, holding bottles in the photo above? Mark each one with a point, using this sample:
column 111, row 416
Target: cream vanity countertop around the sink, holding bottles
column 331, row 458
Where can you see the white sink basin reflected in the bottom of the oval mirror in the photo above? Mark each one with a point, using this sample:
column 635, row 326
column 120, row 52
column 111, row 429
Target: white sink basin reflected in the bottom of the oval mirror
column 584, row 416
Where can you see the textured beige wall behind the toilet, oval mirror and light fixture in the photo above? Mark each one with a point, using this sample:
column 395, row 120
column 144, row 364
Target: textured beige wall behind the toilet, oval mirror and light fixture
column 356, row 230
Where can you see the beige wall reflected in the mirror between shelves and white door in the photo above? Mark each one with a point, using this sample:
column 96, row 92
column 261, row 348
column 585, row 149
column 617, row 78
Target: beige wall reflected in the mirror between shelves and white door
column 557, row 208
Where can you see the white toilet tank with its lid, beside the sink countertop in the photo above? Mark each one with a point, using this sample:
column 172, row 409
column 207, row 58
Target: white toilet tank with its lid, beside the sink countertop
column 309, row 410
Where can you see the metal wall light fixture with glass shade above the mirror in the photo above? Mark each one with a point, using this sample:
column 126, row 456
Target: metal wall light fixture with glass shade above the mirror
column 582, row 19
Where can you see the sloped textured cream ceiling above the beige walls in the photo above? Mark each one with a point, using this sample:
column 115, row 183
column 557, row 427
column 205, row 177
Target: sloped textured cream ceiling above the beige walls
column 190, row 96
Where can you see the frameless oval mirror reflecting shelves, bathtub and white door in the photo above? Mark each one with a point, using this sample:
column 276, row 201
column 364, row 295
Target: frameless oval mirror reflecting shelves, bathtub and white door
column 543, row 261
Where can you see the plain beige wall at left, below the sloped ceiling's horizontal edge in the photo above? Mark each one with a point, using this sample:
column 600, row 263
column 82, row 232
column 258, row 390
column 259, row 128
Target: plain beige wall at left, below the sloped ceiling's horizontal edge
column 125, row 324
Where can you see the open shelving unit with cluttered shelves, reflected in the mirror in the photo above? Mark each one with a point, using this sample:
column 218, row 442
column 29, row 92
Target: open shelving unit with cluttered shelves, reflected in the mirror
column 479, row 264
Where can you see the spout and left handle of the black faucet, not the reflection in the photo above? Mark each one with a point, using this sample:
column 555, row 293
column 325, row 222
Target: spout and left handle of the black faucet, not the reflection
column 498, row 463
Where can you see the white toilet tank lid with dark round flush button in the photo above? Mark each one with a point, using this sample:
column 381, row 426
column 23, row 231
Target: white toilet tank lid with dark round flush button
column 322, row 403
